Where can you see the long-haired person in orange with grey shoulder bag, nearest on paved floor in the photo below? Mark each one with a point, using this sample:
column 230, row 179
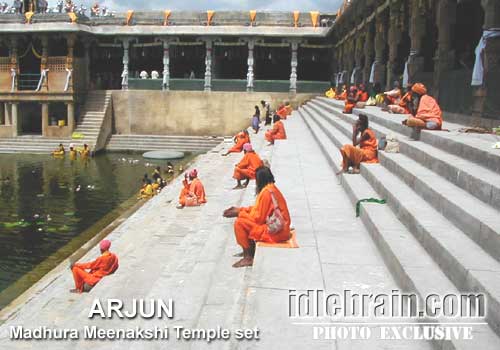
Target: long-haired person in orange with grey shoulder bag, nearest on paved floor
column 251, row 224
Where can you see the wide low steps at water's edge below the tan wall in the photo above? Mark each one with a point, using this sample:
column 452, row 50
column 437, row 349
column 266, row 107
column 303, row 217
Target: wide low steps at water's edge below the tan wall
column 159, row 142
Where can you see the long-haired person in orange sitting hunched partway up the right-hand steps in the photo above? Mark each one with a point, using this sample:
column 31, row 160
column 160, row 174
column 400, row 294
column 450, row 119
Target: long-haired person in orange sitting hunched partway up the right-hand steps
column 367, row 150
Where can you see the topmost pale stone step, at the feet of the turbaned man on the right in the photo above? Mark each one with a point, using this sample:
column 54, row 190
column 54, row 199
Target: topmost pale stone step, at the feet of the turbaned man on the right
column 468, row 146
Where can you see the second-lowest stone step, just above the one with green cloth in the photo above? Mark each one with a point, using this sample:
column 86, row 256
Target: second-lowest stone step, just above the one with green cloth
column 465, row 263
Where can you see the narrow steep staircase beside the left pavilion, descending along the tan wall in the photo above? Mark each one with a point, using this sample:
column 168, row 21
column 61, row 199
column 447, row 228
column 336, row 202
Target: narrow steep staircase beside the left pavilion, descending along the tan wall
column 92, row 117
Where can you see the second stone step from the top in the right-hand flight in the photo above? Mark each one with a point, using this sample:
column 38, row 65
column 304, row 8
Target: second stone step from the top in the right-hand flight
column 479, row 181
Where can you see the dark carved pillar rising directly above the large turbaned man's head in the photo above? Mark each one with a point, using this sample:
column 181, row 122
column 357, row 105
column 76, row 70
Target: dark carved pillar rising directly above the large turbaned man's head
column 417, row 32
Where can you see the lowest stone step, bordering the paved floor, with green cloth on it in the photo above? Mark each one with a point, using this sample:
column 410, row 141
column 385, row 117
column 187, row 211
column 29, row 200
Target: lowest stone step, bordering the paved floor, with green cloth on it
column 410, row 264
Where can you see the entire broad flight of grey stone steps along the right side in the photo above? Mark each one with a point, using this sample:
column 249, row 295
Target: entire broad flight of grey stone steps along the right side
column 442, row 211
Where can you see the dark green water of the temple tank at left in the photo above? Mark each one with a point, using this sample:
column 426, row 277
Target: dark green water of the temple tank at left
column 50, row 206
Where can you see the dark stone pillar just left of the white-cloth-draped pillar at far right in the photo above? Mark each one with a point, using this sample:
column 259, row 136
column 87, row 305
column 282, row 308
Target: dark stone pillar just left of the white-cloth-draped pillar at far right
column 444, row 58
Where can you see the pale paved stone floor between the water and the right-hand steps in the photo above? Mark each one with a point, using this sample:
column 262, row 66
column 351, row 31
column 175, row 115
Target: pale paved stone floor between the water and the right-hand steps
column 187, row 254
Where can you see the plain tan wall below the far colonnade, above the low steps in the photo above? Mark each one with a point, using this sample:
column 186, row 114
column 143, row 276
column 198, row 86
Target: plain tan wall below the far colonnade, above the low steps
column 194, row 113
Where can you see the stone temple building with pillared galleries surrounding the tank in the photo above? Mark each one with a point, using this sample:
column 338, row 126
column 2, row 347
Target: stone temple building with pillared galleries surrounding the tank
column 62, row 73
